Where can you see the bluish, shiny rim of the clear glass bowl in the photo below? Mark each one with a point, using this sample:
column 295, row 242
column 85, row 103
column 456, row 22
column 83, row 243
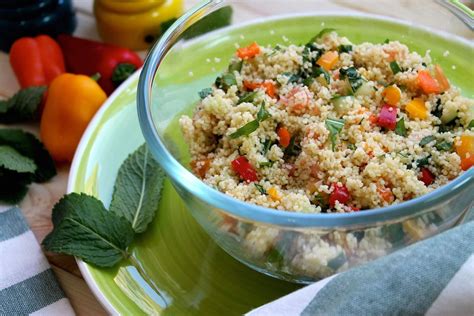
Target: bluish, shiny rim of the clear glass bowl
column 251, row 212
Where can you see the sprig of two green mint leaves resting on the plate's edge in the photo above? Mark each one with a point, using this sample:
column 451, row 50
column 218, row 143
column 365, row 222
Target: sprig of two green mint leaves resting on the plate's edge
column 84, row 228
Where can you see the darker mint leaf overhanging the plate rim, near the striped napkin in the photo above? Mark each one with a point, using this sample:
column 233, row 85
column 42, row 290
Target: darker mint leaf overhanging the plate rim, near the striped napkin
column 85, row 229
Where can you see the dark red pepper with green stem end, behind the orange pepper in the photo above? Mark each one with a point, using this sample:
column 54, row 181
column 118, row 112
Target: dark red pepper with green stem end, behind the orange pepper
column 113, row 63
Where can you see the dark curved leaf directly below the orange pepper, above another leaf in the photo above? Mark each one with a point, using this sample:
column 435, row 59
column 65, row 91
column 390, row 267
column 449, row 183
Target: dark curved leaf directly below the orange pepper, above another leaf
column 29, row 146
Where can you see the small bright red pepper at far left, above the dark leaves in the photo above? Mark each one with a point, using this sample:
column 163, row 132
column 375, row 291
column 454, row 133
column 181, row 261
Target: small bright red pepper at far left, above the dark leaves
column 36, row 61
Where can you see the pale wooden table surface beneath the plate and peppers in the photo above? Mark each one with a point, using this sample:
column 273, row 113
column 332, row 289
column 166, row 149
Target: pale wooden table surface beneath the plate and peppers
column 38, row 203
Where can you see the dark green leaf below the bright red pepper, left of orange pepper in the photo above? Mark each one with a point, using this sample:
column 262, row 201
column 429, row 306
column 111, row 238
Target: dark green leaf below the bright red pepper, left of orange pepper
column 23, row 106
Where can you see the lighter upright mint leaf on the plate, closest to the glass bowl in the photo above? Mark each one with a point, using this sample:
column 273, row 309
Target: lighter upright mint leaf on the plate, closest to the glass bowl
column 137, row 189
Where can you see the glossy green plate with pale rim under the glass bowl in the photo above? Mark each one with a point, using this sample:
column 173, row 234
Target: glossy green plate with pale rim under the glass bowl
column 192, row 272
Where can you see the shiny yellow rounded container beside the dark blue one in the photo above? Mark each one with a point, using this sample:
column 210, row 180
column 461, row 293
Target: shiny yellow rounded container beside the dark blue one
column 134, row 24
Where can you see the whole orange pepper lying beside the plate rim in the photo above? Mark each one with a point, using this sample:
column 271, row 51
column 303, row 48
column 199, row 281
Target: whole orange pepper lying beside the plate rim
column 71, row 103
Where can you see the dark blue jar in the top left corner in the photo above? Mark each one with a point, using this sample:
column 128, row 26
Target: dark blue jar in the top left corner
column 20, row 18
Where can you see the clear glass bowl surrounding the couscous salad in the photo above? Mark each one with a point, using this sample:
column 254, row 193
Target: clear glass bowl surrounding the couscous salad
column 298, row 247
